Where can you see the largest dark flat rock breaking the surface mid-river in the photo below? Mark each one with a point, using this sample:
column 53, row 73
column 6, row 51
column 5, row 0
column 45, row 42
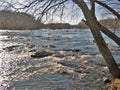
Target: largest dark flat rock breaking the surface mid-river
column 41, row 54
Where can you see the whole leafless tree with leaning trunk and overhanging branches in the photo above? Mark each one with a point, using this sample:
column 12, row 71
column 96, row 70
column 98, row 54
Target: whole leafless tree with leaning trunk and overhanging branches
column 49, row 7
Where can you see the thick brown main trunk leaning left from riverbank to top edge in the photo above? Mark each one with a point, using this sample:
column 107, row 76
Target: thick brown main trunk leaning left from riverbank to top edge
column 94, row 27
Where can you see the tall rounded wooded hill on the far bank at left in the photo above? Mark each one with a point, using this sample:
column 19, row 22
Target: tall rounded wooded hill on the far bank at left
column 18, row 20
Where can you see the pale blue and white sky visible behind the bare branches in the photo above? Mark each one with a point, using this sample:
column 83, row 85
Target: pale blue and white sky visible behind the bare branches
column 72, row 14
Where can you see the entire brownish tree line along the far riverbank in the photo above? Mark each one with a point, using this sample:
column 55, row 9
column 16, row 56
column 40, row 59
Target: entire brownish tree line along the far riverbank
column 20, row 20
